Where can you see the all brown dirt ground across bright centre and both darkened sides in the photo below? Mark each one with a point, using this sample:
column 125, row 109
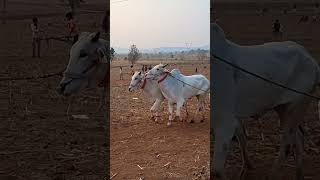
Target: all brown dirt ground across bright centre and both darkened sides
column 39, row 141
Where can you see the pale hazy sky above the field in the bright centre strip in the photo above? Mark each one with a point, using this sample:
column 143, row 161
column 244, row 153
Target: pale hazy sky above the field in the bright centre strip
column 159, row 23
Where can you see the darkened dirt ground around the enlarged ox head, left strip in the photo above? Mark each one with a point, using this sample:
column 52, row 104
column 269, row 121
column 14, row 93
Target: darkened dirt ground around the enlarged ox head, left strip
column 38, row 139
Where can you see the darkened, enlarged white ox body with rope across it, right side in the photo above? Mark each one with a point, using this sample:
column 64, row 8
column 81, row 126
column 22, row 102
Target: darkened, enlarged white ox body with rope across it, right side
column 239, row 95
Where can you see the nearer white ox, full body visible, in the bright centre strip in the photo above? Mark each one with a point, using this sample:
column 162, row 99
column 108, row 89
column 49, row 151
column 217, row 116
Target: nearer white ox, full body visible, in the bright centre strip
column 177, row 88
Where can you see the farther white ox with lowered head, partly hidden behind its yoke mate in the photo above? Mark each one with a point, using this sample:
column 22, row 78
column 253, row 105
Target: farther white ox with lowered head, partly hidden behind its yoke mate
column 151, row 89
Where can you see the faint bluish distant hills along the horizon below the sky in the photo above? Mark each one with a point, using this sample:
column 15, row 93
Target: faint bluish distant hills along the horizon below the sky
column 161, row 49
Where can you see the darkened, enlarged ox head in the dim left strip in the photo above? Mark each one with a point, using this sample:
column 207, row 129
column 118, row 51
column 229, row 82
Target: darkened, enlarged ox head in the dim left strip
column 87, row 67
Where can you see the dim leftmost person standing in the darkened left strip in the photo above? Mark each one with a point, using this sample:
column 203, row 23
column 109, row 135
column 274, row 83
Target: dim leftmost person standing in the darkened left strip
column 35, row 37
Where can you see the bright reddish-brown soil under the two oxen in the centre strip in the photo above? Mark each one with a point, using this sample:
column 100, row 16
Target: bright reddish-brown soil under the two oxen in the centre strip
column 162, row 152
